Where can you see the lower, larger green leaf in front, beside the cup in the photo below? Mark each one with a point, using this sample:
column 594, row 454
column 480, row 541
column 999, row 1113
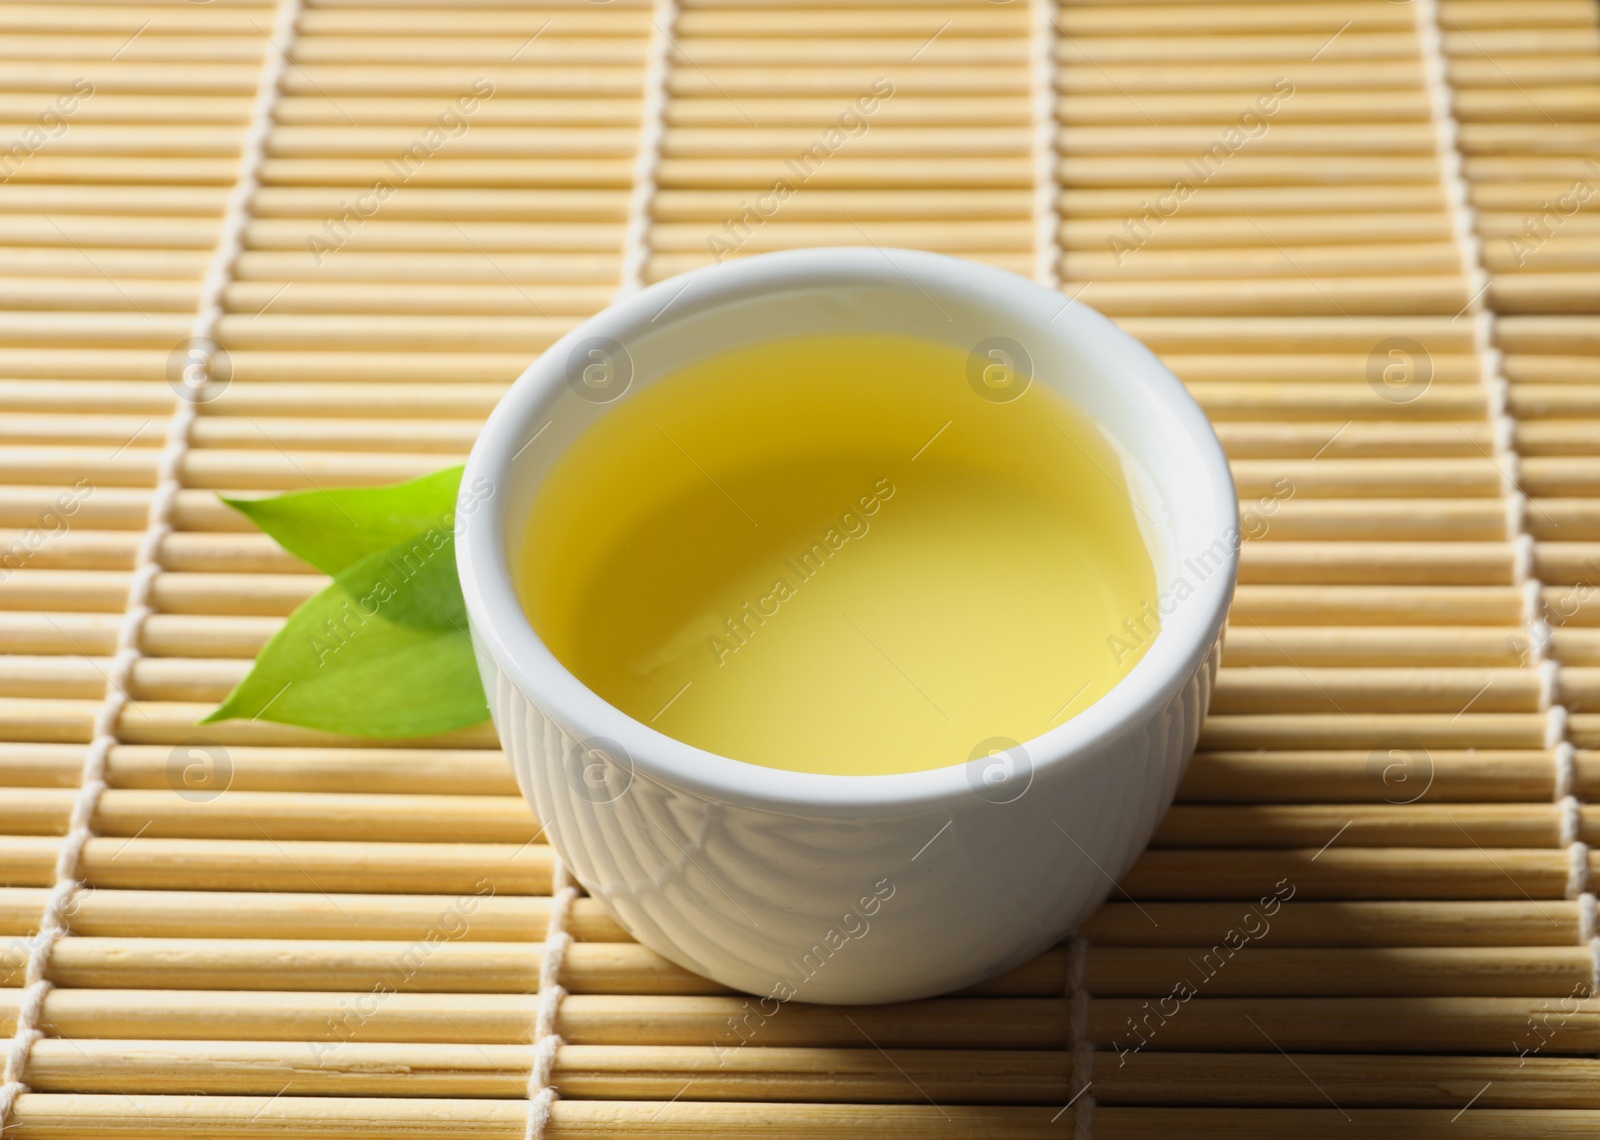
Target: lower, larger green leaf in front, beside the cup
column 382, row 652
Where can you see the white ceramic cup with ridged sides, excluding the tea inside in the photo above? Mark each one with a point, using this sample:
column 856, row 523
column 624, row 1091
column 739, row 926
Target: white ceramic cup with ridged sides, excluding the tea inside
column 854, row 889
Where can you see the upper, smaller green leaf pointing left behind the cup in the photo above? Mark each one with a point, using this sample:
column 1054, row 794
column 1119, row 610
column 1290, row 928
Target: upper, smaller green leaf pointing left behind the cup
column 335, row 529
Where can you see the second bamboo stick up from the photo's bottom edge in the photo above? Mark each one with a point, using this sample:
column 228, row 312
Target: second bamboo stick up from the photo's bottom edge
column 766, row 1074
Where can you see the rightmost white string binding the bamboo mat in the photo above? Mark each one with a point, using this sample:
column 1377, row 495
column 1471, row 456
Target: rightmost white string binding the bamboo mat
column 1506, row 457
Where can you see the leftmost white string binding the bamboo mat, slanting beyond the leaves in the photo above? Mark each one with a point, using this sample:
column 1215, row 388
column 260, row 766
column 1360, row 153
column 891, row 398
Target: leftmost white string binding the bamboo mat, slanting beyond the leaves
column 92, row 784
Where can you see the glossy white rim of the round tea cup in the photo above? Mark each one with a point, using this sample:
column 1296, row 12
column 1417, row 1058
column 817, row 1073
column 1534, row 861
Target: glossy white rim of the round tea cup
column 505, row 635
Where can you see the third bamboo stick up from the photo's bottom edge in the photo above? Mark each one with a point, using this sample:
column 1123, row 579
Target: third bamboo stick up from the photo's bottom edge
column 1366, row 1024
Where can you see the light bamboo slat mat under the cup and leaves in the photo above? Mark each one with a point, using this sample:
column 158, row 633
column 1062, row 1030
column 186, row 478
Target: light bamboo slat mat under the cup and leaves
column 1382, row 283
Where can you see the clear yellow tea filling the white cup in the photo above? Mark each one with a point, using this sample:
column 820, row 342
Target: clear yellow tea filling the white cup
column 833, row 555
